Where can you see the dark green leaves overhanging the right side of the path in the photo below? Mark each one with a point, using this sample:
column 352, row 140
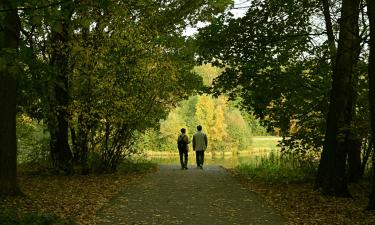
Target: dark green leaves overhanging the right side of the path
column 276, row 62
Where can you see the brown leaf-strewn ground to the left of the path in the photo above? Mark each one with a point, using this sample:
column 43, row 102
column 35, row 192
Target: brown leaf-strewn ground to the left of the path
column 56, row 199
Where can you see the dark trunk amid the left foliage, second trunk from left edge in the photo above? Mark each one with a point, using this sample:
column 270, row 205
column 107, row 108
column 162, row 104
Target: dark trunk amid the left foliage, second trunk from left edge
column 59, row 115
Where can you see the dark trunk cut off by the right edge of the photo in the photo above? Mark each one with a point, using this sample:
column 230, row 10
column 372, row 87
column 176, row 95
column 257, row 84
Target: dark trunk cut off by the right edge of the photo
column 371, row 78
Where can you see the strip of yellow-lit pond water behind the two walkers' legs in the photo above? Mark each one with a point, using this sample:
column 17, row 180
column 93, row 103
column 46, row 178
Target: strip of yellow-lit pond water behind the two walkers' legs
column 228, row 161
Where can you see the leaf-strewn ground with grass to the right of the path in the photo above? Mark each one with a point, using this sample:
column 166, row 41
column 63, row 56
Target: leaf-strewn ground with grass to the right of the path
column 290, row 191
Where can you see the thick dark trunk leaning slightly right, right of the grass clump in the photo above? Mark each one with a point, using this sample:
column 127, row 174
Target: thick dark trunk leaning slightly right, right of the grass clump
column 331, row 177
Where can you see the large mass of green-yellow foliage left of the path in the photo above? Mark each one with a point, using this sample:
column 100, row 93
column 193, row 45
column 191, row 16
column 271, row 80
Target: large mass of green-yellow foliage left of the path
column 106, row 70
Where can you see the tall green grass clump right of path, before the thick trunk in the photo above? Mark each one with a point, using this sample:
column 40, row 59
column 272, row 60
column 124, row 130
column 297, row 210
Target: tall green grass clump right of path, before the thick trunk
column 274, row 168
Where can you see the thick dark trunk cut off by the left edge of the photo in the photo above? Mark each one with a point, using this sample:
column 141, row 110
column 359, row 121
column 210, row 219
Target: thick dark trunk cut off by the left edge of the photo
column 9, row 40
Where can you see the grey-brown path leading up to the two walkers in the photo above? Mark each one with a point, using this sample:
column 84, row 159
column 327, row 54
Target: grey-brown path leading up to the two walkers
column 173, row 196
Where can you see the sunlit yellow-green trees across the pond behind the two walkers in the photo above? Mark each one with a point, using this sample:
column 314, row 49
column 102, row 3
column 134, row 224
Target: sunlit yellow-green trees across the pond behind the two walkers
column 226, row 128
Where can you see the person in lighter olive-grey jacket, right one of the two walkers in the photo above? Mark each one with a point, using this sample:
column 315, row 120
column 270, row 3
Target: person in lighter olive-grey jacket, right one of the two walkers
column 200, row 143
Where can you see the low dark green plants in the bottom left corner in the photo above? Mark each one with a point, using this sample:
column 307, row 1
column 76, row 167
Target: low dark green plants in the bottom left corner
column 10, row 217
